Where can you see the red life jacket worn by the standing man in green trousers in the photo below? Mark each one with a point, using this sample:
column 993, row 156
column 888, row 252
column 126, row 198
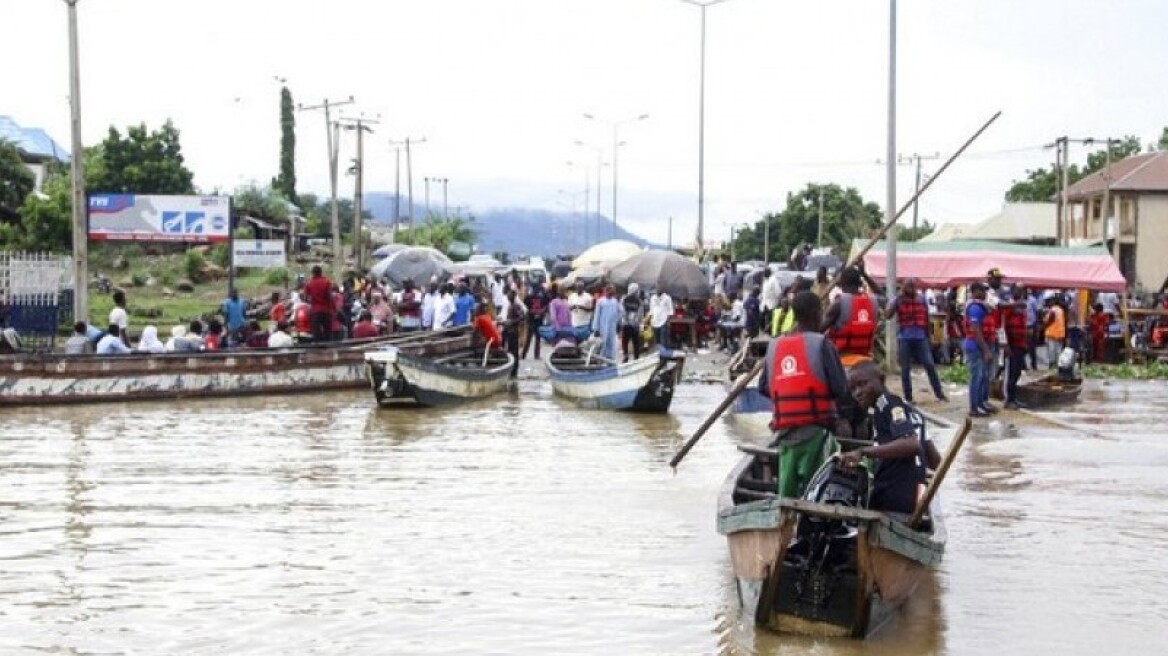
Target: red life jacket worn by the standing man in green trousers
column 798, row 383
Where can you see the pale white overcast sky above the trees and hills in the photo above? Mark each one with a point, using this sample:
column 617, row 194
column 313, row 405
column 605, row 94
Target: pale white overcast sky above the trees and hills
column 495, row 94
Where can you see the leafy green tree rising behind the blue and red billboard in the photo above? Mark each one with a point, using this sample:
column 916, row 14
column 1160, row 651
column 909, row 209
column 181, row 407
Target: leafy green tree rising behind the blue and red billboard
column 141, row 163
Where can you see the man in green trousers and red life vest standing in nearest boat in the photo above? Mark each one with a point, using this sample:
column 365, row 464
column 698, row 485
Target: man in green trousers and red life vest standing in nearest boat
column 805, row 380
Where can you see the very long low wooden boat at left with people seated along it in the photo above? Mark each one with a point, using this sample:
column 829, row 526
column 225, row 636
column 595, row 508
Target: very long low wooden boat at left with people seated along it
column 58, row 379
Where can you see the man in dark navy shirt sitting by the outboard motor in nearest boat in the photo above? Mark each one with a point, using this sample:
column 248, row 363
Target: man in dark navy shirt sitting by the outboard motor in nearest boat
column 902, row 445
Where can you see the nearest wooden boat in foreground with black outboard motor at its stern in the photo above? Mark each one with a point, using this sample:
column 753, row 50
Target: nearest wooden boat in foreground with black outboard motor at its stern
column 819, row 567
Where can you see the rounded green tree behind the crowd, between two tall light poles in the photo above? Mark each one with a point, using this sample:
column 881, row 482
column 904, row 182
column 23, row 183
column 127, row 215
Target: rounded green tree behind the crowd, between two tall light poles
column 846, row 217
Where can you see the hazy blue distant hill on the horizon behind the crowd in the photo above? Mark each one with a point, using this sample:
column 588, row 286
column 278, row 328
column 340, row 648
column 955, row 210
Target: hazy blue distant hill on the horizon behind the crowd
column 520, row 232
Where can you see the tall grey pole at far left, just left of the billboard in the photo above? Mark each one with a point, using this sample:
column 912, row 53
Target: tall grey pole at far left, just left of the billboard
column 78, row 173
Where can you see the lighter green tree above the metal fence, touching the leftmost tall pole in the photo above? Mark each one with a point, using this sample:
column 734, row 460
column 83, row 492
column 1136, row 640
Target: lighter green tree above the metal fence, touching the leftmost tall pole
column 46, row 219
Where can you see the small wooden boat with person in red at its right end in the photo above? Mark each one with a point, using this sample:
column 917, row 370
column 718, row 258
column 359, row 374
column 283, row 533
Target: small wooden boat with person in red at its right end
column 402, row 379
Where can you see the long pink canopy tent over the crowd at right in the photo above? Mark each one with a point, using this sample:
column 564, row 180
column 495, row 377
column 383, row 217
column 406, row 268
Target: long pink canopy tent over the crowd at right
column 945, row 264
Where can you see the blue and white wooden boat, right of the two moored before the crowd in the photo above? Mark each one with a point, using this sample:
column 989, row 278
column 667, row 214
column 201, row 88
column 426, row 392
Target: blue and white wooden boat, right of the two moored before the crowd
column 642, row 386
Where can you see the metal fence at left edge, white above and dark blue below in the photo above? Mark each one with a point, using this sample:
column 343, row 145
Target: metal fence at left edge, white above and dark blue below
column 36, row 296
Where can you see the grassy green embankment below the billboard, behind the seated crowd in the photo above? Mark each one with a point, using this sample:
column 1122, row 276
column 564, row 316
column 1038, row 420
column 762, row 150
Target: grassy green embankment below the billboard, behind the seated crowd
column 155, row 280
